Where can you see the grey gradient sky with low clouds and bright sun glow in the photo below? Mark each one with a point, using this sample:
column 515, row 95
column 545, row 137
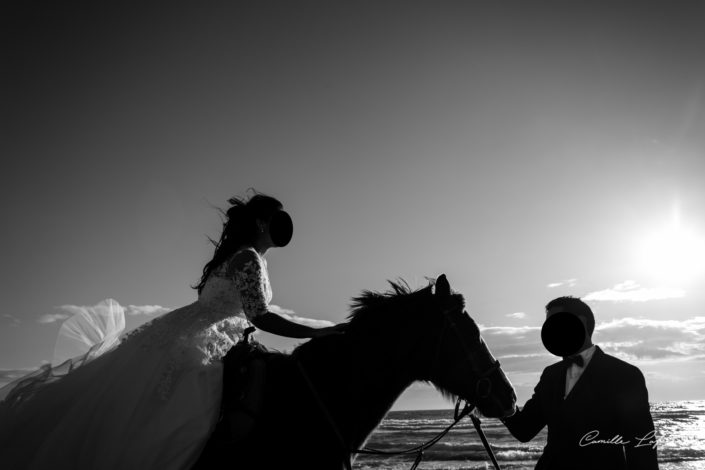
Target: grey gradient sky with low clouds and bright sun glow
column 527, row 150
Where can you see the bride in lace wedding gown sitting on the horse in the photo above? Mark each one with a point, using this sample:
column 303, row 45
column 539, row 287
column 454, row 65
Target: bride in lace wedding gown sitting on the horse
column 151, row 398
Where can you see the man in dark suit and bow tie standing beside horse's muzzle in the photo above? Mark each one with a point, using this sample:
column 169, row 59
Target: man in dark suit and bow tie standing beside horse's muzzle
column 596, row 406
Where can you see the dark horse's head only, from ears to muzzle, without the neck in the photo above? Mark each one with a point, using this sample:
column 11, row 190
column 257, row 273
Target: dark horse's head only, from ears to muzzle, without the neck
column 457, row 361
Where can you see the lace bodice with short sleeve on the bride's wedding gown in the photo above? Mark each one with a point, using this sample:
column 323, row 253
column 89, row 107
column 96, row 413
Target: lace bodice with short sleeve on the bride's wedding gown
column 204, row 331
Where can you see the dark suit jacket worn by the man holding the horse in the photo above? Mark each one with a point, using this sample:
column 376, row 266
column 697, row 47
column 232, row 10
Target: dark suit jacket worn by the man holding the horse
column 610, row 397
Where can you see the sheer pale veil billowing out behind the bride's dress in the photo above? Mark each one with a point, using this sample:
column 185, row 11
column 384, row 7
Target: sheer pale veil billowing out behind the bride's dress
column 89, row 333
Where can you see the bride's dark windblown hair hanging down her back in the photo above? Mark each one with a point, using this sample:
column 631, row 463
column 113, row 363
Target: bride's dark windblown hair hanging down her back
column 239, row 228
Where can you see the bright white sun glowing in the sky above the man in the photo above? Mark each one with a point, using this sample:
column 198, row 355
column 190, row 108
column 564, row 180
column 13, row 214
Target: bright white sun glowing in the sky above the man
column 673, row 255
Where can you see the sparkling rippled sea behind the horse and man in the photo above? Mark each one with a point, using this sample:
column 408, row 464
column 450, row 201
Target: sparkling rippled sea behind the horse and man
column 680, row 430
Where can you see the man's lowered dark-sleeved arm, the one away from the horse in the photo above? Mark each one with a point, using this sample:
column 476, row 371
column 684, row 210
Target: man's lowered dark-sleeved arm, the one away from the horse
column 637, row 424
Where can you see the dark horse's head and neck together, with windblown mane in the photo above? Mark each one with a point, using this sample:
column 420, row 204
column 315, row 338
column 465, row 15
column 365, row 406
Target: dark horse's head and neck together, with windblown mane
column 427, row 335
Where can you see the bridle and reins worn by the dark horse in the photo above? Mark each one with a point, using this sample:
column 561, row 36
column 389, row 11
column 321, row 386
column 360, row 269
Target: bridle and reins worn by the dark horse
column 482, row 378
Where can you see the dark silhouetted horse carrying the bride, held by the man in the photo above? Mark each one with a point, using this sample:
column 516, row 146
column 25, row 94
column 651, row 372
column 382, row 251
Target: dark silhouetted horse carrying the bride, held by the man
column 322, row 401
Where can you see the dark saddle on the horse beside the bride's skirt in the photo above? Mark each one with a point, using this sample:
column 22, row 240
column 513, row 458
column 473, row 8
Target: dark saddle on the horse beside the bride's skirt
column 244, row 376
